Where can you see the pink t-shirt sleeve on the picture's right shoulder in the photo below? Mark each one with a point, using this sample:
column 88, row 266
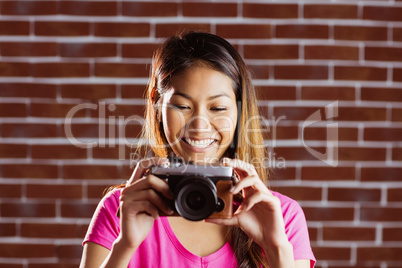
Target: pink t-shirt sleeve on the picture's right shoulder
column 296, row 230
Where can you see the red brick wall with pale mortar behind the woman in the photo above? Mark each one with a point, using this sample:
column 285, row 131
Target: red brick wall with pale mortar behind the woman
column 72, row 75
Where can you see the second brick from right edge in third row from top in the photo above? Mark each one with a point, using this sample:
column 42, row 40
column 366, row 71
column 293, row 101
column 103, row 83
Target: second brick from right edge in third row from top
column 331, row 52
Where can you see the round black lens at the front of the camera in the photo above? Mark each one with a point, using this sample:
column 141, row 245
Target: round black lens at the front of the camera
column 196, row 198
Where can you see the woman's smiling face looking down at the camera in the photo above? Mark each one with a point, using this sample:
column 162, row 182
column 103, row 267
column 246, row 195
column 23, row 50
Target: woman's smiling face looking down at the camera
column 199, row 114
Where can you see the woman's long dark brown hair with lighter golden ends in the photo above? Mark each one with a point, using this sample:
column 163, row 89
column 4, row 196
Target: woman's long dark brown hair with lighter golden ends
column 178, row 53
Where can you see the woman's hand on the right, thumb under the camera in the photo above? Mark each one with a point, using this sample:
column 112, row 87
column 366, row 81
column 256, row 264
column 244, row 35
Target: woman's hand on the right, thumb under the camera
column 260, row 214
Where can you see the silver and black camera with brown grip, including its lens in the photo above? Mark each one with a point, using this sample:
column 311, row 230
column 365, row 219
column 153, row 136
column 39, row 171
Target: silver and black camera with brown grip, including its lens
column 200, row 191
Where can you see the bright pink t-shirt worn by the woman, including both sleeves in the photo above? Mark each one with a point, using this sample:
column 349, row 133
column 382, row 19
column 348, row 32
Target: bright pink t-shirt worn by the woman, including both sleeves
column 161, row 248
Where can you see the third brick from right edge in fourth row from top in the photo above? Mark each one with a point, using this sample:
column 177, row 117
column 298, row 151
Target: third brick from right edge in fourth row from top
column 301, row 72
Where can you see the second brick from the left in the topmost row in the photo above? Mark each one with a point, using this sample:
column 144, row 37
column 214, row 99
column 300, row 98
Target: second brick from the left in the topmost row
column 85, row 8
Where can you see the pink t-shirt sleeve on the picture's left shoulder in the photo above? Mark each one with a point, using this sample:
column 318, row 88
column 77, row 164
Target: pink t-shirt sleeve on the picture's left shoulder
column 105, row 225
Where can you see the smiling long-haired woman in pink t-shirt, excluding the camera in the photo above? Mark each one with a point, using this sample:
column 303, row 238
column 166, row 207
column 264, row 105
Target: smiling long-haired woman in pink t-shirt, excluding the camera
column 199, row 97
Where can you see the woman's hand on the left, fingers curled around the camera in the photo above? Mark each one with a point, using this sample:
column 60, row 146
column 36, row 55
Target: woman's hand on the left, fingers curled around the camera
column 140, row 203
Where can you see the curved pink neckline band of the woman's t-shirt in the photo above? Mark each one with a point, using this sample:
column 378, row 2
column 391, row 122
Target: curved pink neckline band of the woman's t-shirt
column 186, row 253
